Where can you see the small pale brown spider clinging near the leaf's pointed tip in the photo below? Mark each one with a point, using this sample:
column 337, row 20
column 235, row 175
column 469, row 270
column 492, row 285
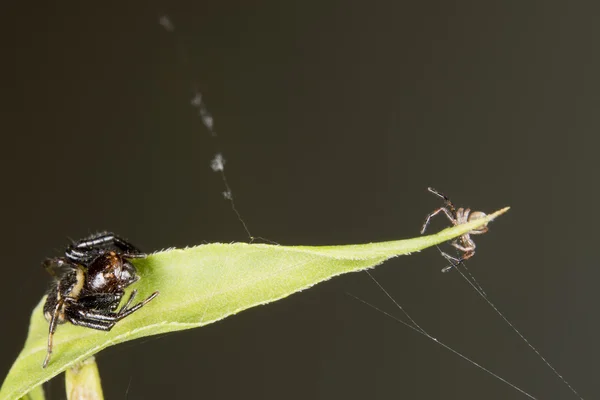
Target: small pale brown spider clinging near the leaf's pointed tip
column 458, row 216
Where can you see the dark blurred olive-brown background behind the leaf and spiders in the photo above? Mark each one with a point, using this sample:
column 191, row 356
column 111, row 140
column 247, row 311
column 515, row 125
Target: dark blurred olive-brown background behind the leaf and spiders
column 334, row 117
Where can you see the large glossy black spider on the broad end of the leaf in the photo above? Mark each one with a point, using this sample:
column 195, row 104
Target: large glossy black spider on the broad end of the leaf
column 90, row 282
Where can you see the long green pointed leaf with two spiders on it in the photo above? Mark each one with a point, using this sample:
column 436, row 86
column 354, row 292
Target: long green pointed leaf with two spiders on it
column 201, row 285
